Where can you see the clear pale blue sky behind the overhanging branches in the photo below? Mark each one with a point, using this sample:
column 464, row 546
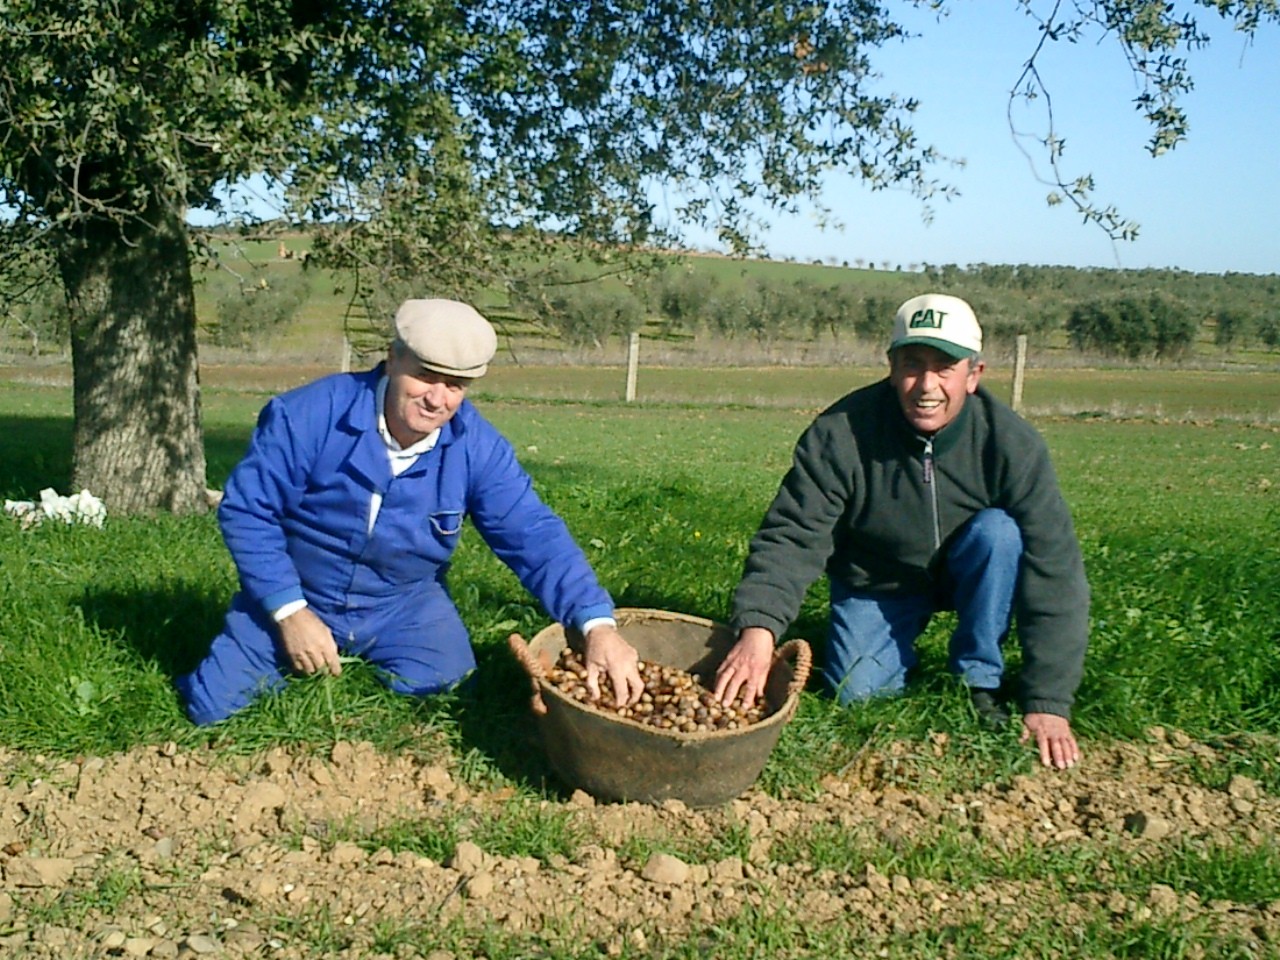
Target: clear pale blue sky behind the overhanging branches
column 1212, row 205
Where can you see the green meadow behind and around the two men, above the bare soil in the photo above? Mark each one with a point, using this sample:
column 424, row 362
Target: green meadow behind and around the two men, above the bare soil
column 1172, row 478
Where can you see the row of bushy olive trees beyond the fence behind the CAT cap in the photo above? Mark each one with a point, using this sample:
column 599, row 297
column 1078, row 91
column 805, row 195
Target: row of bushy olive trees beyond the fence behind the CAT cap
column 683, row 304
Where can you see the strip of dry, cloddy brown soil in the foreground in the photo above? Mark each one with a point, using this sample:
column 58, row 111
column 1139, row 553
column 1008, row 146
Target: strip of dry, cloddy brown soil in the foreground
column 171, row 853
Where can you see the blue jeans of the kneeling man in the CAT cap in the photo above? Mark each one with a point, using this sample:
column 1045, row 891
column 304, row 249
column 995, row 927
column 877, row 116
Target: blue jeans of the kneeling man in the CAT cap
column 871, row 643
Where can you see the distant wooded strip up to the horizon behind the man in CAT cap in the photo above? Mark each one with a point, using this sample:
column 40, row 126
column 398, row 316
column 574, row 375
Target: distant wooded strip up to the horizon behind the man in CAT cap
column 1126, row 314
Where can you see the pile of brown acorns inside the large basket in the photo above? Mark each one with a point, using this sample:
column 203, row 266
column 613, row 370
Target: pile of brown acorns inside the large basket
column 673, row 700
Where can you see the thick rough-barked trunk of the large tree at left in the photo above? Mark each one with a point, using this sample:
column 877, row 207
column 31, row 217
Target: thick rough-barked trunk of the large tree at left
column 139, row 440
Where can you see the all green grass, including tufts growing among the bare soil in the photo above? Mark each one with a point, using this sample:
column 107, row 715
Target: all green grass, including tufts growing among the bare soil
column 1173, row 482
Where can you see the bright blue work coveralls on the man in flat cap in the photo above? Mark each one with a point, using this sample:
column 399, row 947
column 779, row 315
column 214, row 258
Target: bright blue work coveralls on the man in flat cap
column 295, row 516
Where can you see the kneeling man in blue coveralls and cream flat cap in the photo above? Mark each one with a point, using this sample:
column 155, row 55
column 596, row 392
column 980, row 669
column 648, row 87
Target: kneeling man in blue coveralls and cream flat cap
column 345, row 513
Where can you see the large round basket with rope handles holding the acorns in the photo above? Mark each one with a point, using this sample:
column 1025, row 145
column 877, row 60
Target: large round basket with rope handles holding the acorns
column 616, row 758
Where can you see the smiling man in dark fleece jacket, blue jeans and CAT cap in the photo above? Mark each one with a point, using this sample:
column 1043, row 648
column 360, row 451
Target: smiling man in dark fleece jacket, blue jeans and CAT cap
column 915, row 495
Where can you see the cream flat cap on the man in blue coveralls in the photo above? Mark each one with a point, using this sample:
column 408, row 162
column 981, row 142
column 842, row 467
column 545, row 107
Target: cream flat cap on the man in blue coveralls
column 447, row 336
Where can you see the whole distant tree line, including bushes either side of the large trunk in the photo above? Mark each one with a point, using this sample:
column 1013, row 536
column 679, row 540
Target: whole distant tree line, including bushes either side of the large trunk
column 1133, row 316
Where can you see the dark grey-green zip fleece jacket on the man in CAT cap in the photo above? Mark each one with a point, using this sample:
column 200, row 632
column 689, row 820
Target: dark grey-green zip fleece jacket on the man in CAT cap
column 875, row 504
